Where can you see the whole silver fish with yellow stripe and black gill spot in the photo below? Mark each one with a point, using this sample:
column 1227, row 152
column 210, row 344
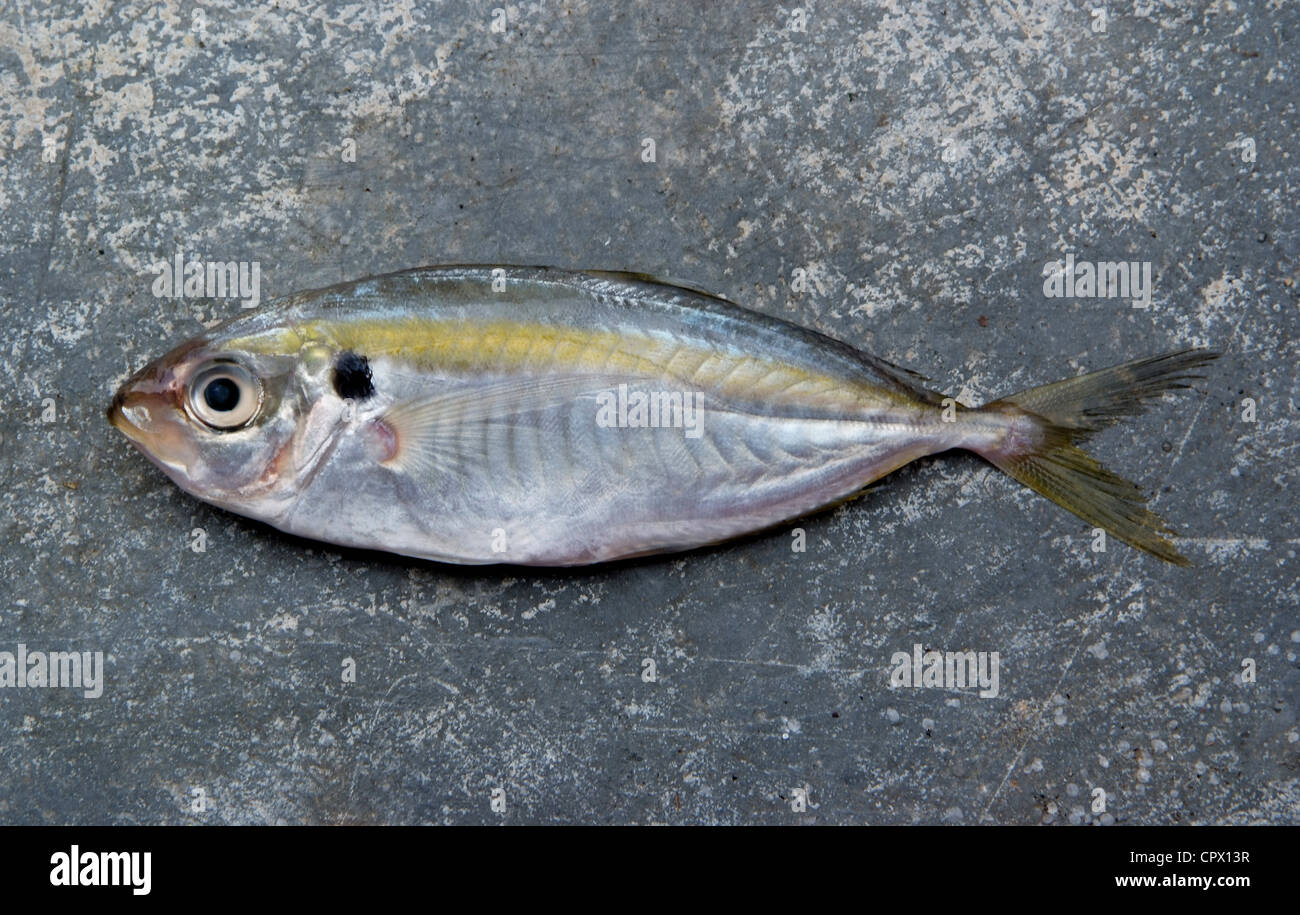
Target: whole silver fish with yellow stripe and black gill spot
column 536, row 417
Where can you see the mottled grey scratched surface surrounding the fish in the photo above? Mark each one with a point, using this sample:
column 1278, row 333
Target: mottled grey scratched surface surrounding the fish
column 921, row 163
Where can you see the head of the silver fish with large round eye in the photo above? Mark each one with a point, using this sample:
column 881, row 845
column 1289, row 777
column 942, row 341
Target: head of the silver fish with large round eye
column 220, row 420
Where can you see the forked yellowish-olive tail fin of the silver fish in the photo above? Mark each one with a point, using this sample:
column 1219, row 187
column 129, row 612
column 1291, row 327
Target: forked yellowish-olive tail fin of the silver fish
column 1046, row 426
